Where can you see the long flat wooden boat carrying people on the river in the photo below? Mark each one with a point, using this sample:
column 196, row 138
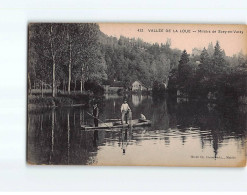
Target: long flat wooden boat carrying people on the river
column 118, row 125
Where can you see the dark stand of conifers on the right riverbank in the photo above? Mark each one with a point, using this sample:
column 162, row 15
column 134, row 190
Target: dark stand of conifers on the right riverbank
column 216, row 74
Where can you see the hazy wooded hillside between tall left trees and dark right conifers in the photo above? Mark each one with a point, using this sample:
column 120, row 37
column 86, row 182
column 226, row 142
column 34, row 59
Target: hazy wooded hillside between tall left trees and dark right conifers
column 132, row 59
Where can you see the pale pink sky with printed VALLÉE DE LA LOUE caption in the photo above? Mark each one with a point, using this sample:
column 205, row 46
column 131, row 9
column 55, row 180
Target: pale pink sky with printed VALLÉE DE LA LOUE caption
column 232, row 38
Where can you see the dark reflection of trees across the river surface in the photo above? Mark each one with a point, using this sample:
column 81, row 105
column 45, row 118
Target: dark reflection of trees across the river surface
column 55, row 136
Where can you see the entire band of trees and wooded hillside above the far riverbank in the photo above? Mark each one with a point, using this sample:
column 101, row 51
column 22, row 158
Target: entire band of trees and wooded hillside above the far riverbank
column 67, row 57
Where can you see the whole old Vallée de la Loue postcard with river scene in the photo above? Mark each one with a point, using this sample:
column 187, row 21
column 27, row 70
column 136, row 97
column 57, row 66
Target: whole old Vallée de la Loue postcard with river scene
column 137, row 94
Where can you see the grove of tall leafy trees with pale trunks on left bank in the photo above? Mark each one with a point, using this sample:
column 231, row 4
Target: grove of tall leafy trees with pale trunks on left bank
column 71, row 49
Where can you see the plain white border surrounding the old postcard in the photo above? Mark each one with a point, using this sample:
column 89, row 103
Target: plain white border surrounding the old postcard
column 15, row 175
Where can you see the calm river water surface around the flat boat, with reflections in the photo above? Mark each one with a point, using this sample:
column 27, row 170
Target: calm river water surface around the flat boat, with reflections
column 182, row 134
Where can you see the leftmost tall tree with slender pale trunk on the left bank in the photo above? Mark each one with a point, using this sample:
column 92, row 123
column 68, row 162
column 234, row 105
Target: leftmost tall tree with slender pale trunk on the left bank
column 45, row 52
